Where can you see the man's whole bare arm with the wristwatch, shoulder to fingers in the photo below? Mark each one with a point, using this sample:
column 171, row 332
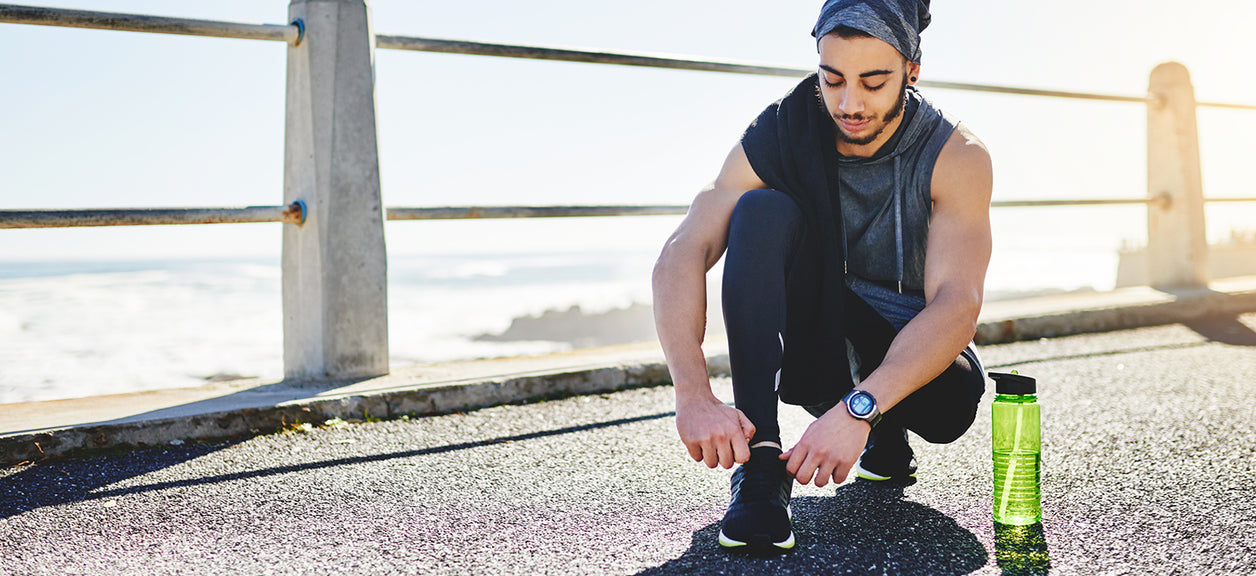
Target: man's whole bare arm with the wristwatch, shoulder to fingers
column 955, row 273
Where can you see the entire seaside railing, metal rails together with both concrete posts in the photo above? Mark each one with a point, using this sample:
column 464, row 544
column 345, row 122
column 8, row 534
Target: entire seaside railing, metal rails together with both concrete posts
column 327, row 76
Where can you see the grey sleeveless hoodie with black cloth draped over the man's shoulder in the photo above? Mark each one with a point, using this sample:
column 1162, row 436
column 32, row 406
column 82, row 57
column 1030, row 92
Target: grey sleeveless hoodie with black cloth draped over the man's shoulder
column 792, row 147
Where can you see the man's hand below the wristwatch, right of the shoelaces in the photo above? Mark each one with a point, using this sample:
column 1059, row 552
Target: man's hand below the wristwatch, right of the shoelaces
column 828, row 450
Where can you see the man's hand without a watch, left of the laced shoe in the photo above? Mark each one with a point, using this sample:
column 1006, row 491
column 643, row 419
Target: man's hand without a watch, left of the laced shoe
column 714, row 432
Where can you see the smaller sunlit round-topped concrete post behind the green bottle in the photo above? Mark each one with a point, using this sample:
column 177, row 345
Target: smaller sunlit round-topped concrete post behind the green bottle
column 1177, row 245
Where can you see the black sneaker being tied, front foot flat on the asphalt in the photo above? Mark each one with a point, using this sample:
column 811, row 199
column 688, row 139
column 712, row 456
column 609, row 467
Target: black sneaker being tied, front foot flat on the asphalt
column 759, row 520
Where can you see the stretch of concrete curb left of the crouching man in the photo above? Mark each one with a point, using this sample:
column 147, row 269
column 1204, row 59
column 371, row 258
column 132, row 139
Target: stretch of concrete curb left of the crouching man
column 418, row 401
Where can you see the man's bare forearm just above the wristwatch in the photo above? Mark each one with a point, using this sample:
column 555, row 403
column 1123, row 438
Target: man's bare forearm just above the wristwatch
column 924, row 349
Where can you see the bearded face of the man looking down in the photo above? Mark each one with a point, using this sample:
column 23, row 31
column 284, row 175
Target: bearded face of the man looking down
column 863, row 82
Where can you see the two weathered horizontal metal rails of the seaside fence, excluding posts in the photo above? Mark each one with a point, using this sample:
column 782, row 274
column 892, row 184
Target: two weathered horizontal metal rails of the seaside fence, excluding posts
column 295, row 32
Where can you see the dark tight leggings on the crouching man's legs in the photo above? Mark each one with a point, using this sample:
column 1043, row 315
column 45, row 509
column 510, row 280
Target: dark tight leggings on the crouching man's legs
column 763, row 237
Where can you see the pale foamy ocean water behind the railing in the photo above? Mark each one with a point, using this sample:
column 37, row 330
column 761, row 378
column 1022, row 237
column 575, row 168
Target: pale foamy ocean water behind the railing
column 89, row 327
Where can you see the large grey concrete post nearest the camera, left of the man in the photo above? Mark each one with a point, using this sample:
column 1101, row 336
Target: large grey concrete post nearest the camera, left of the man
column 336, row 318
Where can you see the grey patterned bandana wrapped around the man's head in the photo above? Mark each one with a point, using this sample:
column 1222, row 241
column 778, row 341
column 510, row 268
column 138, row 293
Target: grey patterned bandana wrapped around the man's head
column 896, row 22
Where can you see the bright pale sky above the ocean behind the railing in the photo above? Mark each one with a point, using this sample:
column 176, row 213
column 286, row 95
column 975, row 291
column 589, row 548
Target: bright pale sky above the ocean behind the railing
column 100, row 119
